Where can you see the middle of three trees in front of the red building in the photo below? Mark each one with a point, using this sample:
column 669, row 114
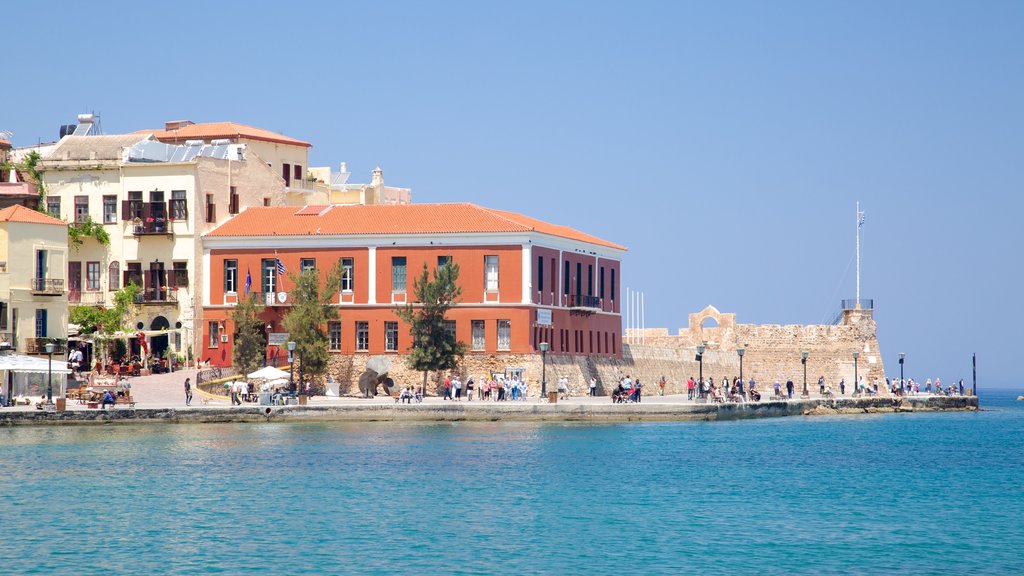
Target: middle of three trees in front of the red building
column 313, row 308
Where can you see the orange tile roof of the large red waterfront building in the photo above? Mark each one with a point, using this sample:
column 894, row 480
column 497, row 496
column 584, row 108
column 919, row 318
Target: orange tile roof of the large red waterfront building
column 400, row 219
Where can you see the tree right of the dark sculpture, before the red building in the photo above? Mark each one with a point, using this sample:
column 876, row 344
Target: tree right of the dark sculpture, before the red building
column 434, row 347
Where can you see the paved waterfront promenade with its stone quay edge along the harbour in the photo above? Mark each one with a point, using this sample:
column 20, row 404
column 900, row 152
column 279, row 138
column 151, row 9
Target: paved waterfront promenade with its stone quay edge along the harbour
column 161, row 398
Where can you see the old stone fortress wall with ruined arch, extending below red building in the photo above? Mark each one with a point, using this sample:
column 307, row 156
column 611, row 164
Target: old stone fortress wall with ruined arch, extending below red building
column 773, row 352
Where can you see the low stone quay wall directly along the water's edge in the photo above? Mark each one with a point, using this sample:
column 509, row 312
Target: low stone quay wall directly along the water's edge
column 487, row 412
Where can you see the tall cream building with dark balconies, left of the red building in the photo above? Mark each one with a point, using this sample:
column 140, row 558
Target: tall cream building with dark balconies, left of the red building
column 155, row 200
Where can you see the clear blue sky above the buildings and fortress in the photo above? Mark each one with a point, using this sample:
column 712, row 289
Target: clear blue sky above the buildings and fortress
column 724, row 144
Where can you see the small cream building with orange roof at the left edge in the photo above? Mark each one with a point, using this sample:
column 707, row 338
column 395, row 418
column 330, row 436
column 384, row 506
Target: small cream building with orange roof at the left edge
column 33, row 287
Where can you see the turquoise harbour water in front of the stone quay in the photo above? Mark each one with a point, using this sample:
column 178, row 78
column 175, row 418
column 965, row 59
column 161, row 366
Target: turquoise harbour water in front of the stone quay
column 910, row 493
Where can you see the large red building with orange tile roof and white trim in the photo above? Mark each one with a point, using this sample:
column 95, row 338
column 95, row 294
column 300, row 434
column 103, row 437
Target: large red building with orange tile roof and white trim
column 524, row 281
